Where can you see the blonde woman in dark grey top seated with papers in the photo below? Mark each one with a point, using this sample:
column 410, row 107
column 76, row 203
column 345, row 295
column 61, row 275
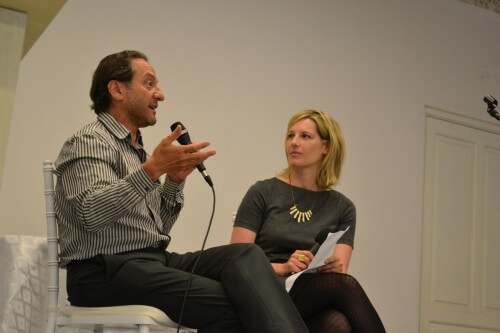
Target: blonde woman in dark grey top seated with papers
column 284, row 214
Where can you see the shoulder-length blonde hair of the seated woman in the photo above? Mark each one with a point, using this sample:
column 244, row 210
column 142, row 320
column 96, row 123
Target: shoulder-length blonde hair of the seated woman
column 329, row 131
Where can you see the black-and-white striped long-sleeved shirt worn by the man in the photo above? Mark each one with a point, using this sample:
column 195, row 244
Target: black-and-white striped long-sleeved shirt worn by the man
column 105, row 202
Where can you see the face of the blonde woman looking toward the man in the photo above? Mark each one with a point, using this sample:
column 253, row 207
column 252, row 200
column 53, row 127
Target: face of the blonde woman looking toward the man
column 304, row 147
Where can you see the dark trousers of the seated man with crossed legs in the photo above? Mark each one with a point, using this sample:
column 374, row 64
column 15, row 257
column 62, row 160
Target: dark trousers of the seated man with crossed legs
column 234, row 288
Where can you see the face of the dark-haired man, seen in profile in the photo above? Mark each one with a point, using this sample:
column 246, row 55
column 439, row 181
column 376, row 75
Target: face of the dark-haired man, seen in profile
column 142, row 95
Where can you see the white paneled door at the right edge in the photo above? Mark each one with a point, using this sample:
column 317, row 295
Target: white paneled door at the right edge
column 460, row 282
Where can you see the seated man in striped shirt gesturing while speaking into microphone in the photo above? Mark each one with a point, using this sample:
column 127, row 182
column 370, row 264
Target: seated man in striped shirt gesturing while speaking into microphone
column 115, row 216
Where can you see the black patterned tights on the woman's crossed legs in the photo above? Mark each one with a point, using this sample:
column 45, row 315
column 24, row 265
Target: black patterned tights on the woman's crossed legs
column 335, row 302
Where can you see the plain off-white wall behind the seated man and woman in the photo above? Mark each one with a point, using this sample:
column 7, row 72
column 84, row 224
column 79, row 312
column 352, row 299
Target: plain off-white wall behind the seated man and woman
column 235, row 71
